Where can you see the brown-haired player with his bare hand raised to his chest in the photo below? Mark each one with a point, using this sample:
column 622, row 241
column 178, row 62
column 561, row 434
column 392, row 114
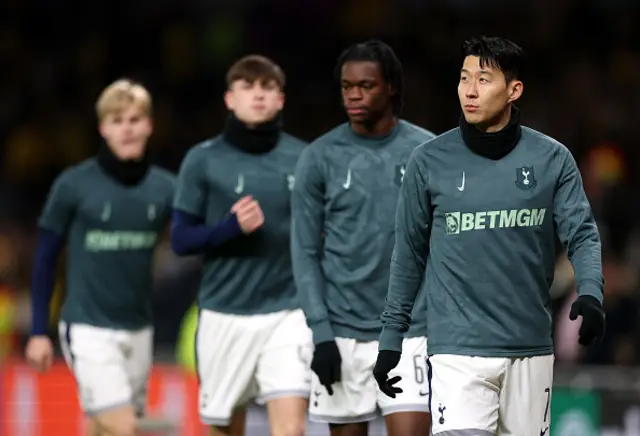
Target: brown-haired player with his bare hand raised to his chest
column 233, row 206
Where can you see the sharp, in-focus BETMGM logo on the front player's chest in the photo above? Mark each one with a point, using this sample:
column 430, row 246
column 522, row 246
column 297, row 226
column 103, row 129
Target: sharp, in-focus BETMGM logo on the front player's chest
column 457, row 222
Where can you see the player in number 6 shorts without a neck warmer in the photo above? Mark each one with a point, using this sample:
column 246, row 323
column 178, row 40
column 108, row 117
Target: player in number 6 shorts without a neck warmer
column 347, row 187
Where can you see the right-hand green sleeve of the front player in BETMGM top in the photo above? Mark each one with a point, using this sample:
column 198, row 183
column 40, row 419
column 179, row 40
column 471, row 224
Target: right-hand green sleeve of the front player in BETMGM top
column 577, row 229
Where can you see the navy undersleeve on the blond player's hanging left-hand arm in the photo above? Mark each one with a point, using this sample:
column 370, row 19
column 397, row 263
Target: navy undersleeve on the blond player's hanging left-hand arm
column 50, row 245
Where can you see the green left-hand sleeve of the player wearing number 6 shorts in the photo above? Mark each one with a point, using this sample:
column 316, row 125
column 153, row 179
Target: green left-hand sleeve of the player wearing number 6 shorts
column 307, row 211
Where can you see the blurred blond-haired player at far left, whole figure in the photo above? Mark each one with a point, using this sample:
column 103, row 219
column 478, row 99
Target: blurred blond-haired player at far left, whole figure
column 109, row 210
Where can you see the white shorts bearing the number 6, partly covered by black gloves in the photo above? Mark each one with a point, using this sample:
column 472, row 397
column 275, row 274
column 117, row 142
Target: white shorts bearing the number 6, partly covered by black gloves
column 357, row 397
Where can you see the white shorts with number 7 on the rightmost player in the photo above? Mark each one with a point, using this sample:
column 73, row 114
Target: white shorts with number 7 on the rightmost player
column 487, row 396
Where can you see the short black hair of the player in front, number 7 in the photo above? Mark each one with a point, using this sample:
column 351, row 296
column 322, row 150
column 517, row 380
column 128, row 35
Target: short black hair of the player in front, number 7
column 499, row 53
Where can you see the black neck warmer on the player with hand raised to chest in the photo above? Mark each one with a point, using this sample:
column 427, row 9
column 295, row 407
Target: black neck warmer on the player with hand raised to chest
column 261, row 139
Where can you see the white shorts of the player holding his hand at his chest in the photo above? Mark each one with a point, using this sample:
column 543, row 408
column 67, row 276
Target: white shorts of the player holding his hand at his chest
column 241, row 357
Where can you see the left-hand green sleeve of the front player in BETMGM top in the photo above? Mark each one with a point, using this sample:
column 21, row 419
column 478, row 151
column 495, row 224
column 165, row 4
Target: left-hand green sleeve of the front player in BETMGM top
column 409, row 259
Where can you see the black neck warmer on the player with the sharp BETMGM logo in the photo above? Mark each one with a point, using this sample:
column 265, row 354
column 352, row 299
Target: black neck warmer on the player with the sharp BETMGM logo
column 494, row 145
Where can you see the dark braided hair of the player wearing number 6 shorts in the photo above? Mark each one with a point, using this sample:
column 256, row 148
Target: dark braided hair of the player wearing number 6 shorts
column 390, row 66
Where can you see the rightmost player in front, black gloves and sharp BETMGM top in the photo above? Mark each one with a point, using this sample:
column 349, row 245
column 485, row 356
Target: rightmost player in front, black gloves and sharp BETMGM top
column 485, row 203
